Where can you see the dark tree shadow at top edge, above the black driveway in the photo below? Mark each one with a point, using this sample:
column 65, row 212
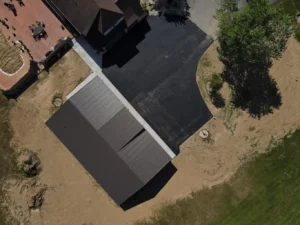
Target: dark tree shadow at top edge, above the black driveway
column 174, row 11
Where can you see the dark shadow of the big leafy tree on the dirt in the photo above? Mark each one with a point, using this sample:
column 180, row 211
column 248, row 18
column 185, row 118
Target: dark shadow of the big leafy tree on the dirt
column 253, row 89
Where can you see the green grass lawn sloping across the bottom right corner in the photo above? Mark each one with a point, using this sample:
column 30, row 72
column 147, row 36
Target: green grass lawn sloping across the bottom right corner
column 264, row 191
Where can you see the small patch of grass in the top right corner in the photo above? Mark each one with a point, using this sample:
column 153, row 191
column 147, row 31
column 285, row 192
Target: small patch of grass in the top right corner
column 291, row 7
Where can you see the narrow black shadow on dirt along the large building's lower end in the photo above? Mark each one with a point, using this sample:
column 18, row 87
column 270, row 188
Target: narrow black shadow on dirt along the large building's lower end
column 151, row 189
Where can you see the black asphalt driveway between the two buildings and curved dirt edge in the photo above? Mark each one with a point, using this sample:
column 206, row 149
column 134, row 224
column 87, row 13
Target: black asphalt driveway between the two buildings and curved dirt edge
column 160, row 80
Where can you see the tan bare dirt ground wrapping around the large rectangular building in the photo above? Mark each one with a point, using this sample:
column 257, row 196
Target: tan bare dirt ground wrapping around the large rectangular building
column 73, row 197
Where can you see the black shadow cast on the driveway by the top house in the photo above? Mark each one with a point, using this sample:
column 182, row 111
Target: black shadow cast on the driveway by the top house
column 126, row 47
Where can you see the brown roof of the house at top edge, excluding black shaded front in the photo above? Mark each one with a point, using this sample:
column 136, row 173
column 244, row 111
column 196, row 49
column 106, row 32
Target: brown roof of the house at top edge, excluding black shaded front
column 82, row 13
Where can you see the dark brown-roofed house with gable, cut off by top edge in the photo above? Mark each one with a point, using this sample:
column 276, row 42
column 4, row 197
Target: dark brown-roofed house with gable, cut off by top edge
column 100, row 22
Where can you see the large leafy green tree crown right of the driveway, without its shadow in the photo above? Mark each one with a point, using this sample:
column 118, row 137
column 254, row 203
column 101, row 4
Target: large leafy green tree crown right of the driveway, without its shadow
column 254, row 34
